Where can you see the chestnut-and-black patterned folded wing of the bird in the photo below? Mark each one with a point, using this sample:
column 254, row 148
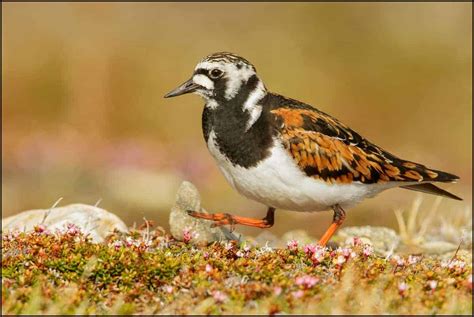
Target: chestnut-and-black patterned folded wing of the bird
column 326, row 149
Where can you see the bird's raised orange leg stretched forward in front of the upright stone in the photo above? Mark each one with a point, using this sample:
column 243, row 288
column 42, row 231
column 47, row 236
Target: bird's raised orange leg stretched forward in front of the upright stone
column 222, row 219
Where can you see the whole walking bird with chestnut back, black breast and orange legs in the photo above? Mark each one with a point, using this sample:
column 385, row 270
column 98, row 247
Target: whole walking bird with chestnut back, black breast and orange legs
column 286, row 154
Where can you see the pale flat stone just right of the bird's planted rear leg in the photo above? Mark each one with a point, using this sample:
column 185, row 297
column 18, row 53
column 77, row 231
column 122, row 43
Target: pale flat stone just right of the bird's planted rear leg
column 383, row 240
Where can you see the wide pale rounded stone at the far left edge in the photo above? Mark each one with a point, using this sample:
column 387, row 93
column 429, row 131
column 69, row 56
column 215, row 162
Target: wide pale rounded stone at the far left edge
column 95, row 221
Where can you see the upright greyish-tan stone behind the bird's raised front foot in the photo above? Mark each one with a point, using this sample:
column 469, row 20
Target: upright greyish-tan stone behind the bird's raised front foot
column 200, row 231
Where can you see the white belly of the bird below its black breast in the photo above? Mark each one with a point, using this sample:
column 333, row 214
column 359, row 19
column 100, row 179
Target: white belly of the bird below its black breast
column 278, row 182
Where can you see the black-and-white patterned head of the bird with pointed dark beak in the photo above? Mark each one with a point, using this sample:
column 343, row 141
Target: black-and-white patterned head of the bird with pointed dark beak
column 221, row 77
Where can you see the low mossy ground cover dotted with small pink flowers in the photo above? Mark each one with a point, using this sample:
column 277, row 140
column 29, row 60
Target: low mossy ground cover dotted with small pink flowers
column 149, row 272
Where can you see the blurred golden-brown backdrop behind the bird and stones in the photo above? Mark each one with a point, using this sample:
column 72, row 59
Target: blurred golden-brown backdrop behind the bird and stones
column 84, row 116
